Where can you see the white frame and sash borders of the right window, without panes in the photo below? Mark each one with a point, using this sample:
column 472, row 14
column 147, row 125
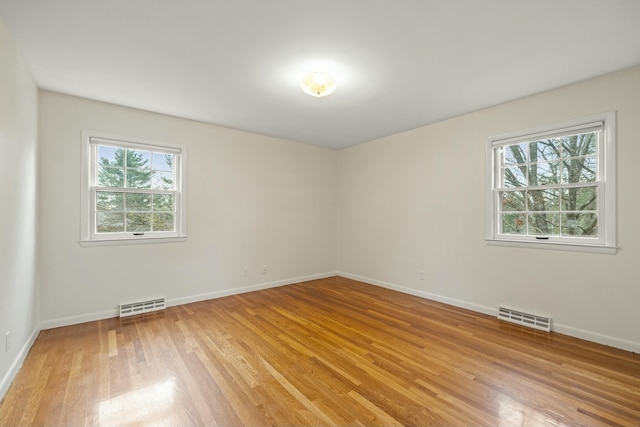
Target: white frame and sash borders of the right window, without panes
column 605, row 183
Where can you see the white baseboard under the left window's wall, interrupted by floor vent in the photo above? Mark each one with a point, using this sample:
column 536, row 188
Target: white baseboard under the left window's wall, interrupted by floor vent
column 100, row 315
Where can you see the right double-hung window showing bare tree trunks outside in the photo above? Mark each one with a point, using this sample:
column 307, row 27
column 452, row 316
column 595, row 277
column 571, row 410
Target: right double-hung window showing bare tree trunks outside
column 554, row 186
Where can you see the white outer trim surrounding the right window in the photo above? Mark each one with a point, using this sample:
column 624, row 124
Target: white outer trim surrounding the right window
column 608, row 178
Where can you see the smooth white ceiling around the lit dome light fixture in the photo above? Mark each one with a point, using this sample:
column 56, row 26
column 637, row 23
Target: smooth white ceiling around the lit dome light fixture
column 401, row 64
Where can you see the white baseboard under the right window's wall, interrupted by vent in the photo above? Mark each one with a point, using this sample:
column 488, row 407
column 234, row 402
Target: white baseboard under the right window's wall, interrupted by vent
column 559, row 328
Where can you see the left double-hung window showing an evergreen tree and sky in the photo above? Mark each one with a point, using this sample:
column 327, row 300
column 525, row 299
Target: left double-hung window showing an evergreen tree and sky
column 133, row 190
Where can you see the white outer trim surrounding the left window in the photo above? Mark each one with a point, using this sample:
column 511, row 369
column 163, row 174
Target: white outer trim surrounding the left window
column 86, row 238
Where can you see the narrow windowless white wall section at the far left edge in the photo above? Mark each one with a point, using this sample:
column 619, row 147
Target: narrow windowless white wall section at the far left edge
column 18, row 203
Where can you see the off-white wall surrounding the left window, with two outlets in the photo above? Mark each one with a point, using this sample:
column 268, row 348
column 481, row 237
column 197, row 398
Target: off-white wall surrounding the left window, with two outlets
column 252, row 201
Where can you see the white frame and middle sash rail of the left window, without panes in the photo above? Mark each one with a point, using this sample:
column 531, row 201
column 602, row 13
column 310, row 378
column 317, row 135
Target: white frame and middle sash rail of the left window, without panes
column 89, row 236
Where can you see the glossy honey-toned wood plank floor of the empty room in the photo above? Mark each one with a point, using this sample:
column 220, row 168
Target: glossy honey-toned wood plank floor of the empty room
column 327, row 352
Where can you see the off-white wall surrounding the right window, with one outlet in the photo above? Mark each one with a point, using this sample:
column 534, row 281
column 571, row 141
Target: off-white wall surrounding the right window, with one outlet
column 415, row 201
